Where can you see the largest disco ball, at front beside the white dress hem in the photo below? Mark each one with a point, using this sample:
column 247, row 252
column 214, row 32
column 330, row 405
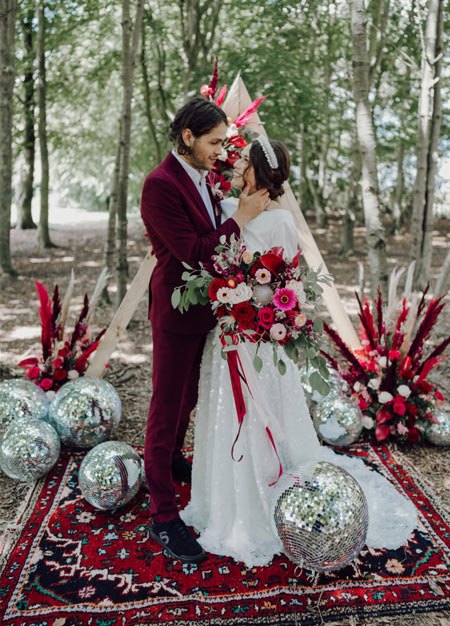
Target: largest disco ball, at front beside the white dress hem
column 322, row 522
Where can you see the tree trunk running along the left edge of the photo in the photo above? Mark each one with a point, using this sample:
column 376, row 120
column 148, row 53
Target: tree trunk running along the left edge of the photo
column 7, row 59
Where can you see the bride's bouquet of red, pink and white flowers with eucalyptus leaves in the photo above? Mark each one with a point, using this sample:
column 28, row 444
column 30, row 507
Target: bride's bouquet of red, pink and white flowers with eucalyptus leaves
column 259, row 297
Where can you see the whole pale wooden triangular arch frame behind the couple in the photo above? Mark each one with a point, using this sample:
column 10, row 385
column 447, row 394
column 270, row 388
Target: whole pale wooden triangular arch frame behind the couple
column 236, row 102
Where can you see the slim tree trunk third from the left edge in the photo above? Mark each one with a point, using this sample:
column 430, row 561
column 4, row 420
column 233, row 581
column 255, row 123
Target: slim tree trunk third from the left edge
column 43, row 231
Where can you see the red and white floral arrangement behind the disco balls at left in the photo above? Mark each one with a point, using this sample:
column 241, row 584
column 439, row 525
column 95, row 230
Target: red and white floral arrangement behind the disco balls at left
column 64, row 357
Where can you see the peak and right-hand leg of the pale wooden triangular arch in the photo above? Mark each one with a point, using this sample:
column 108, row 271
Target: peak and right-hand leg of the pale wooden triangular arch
column 237, row 101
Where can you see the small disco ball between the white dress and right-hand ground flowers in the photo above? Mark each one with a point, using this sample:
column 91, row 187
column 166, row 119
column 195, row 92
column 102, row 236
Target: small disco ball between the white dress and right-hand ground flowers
column 338, row 420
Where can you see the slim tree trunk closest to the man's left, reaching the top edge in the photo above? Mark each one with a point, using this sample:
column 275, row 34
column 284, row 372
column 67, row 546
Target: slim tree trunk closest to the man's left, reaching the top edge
column 130, row 42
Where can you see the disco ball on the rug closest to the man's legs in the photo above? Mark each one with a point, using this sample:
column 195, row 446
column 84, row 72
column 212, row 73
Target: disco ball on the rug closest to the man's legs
column 110, row 475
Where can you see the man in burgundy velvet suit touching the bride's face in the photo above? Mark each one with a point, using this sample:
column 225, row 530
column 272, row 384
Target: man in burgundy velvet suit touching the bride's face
column 184, row 224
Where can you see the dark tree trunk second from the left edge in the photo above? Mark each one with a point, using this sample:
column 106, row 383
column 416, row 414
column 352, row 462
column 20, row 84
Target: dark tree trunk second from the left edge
column 25, row 187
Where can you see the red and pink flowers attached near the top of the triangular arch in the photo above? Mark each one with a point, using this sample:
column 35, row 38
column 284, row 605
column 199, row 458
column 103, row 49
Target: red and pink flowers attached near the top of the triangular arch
column 220, row 177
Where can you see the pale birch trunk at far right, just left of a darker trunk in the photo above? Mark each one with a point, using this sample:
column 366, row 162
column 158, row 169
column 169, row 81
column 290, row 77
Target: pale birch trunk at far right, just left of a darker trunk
column 430, row 116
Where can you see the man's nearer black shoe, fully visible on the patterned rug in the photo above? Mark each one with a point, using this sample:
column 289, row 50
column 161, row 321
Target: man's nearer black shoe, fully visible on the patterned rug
column 175, row 537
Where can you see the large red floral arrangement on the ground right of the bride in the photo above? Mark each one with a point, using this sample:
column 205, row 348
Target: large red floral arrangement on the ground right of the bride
column 388, row 376
